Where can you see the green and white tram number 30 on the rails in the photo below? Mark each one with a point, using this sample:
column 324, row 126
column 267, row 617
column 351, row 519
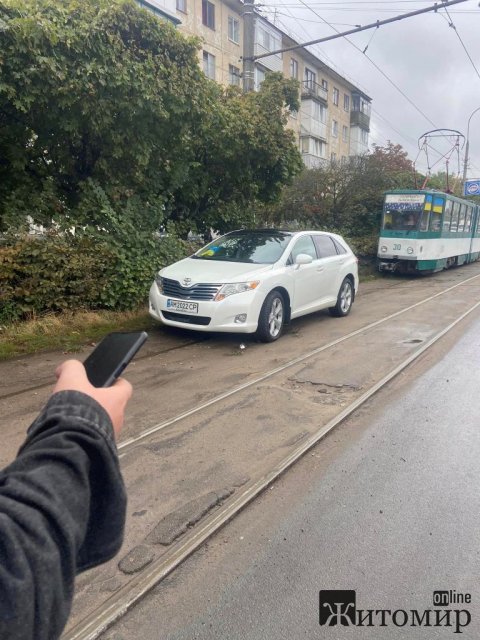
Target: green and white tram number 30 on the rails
column 426, row 231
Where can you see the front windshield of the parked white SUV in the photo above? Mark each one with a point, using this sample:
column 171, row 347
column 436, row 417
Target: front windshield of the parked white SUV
column 258, row 247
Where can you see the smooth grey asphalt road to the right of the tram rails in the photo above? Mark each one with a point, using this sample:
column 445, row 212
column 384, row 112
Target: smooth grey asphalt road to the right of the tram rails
column 387, row 505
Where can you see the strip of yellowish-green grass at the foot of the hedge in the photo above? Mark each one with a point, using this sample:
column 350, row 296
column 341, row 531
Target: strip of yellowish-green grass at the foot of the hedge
column 67, row 332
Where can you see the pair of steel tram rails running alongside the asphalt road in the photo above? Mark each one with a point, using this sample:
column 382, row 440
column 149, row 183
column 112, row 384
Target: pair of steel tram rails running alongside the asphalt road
column 113, row 608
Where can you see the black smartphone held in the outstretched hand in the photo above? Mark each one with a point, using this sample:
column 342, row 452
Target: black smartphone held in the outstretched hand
column 110, row 357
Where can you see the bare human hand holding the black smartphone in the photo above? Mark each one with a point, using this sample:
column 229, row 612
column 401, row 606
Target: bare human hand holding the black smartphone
column 71, row 376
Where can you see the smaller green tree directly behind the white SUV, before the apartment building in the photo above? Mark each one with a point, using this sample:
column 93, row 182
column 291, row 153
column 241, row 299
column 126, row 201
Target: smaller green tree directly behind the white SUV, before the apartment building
column 244, row 154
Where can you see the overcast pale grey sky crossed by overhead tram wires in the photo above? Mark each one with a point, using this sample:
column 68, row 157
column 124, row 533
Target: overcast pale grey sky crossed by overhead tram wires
column 422, row 56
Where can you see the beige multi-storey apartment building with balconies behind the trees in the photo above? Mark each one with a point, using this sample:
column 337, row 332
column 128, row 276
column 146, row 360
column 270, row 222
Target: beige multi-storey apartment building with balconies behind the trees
column 333, row 121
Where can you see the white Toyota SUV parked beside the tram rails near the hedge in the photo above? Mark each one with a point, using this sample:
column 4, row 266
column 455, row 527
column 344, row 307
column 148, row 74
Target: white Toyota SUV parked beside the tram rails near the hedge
column 255, row 281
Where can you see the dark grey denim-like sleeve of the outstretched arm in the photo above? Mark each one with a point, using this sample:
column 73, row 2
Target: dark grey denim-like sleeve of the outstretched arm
column 62, row 510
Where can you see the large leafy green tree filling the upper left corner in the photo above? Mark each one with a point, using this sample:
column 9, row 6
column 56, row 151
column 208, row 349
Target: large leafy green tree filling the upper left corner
column 92, row 93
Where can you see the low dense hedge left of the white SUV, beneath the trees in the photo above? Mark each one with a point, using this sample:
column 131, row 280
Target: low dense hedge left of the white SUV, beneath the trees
column 58, row 272
